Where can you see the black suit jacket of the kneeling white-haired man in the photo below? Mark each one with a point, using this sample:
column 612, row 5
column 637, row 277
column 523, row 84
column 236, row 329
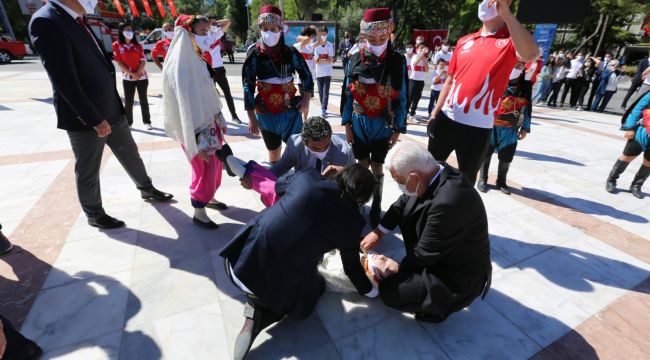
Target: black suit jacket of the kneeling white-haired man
column 446, row 238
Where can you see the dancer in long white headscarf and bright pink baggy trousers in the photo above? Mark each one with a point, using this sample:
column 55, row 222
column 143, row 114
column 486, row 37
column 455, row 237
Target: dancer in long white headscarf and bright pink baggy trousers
column 191, row 111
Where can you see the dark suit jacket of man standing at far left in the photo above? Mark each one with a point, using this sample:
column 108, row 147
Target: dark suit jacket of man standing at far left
column 82, row 75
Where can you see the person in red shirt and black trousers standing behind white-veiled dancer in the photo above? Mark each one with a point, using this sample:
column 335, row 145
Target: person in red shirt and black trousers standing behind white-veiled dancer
column 129, row 56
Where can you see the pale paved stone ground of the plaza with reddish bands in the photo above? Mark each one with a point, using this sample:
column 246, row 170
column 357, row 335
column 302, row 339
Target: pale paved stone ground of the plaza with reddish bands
column 571, row 262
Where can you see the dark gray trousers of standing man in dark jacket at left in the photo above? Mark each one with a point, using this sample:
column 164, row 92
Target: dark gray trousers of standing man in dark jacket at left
column 88, row 149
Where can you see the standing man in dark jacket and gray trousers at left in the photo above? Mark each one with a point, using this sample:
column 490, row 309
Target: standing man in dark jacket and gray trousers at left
column 86, row 102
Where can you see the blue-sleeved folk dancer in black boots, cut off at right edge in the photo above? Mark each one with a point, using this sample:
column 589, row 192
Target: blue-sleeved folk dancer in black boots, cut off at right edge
column 636, row 118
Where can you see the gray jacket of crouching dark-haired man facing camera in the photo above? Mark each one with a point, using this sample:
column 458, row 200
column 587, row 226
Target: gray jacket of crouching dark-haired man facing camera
column 297, row 156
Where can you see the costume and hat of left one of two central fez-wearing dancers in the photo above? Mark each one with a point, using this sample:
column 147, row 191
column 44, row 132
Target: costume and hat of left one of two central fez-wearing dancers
column 270, row 69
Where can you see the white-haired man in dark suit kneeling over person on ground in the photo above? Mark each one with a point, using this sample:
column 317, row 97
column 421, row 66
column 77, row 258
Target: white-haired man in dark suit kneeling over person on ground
column 445, row 231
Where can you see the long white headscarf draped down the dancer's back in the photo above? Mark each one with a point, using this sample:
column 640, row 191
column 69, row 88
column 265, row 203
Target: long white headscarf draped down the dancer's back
column 190, row 101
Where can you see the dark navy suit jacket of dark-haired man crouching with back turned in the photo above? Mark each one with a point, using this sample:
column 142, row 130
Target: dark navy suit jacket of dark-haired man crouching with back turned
column 277, row 253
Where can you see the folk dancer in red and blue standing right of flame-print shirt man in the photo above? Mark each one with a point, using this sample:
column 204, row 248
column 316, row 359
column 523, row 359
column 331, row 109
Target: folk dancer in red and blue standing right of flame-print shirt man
column 516, row 101
